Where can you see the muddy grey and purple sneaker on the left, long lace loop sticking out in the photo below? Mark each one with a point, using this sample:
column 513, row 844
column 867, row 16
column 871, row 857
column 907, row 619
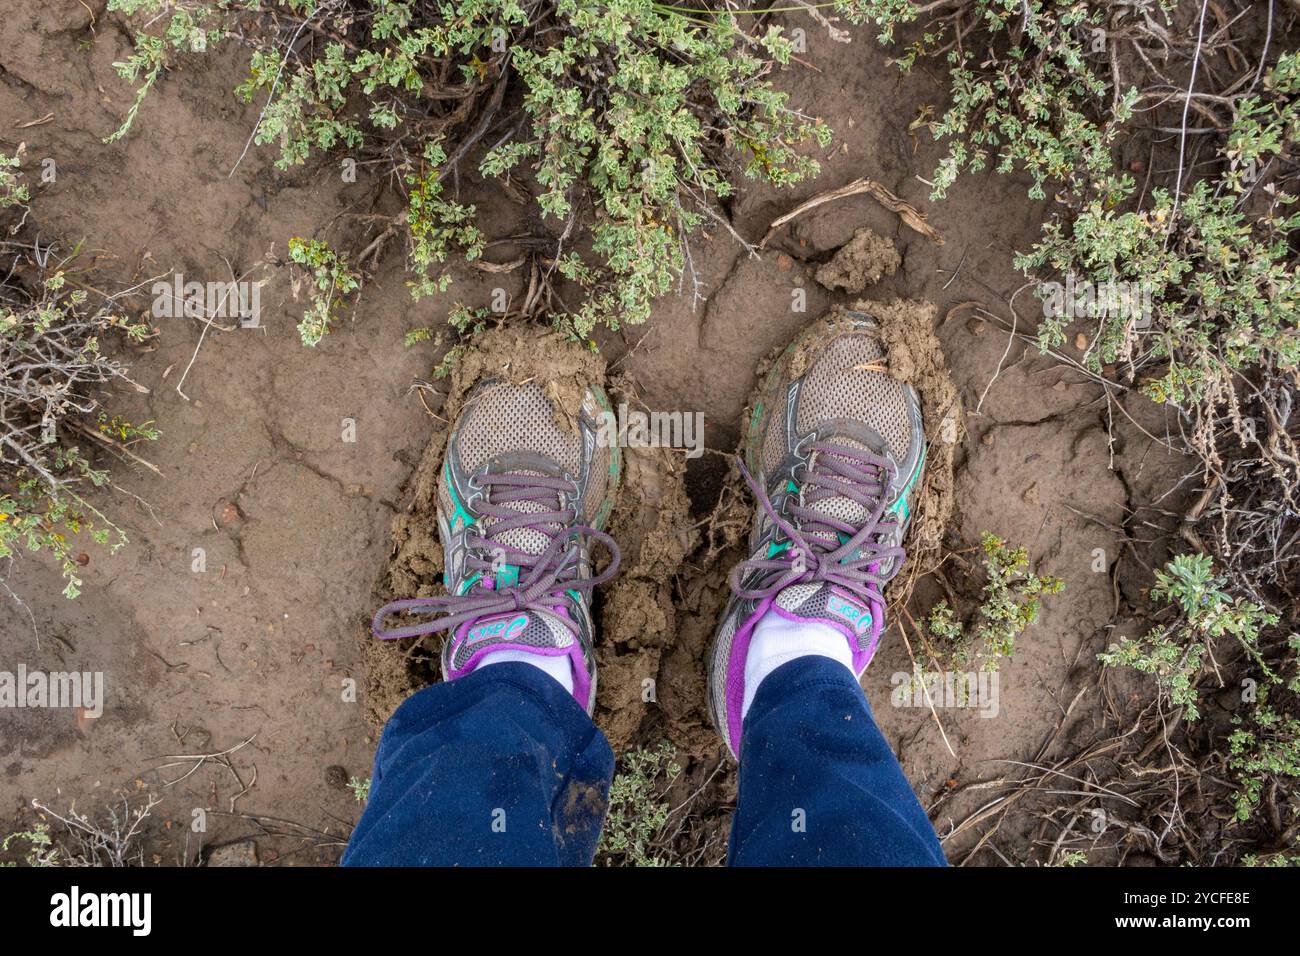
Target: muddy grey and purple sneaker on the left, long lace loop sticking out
column 522, row 498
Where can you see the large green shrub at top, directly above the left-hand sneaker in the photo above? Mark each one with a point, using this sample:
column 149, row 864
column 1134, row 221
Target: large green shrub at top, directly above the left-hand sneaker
column 635, row 118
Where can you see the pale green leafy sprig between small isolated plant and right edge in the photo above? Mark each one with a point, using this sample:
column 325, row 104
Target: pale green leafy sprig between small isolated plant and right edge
column 1175, row 654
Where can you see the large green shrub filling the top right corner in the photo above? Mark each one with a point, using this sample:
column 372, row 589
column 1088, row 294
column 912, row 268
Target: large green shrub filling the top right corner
column 1041, row 86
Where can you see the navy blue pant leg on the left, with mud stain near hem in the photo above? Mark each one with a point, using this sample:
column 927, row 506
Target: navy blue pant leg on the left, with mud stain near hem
column 501, row 768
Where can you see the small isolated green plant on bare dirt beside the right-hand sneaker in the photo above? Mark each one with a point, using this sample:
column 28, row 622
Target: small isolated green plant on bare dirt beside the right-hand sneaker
column 1012, row 599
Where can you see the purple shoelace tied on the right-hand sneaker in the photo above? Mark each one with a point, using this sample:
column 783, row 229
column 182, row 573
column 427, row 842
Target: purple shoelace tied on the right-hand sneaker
column 817, row 553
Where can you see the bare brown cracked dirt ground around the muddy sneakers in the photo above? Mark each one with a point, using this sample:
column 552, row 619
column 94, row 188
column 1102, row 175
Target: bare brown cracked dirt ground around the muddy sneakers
column 231, row 689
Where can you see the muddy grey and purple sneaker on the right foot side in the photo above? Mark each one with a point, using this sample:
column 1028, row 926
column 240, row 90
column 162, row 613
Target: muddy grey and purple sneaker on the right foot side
column 834, row 451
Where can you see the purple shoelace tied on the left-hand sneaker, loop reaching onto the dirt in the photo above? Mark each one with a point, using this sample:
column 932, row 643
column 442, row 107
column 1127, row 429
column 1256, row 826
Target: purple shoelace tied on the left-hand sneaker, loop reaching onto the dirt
column 544, row 578
